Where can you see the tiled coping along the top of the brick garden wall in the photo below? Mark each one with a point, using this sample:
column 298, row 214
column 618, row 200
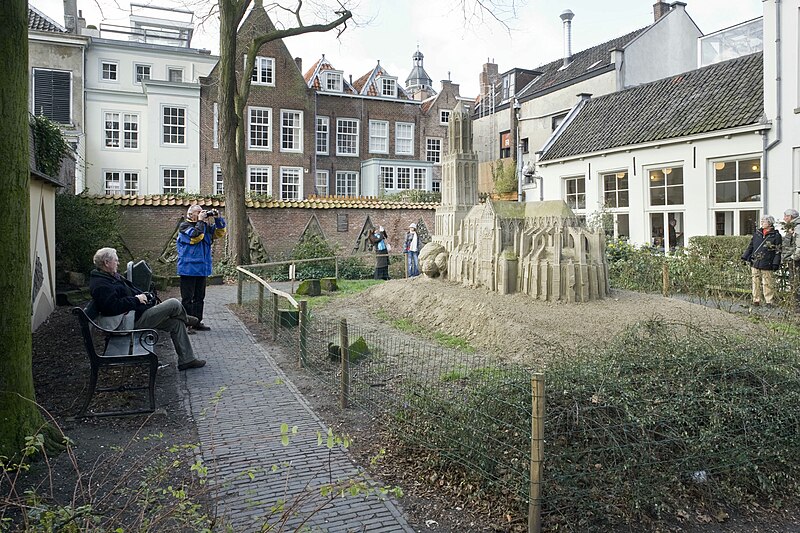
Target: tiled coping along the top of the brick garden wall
column 312, row 202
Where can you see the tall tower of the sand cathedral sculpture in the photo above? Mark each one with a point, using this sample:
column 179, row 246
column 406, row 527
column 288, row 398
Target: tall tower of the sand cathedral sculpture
column 459, row 178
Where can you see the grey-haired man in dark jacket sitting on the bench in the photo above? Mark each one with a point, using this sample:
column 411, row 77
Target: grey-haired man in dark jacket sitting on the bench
column 115, row 297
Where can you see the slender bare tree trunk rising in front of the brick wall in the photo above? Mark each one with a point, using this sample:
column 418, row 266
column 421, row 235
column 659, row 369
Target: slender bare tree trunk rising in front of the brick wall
column 232, row 136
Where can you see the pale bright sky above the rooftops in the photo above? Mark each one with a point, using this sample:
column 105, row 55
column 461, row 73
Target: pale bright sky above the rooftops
column 455, row 42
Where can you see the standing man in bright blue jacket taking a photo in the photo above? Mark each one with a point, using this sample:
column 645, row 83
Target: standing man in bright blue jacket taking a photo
column 196, row 234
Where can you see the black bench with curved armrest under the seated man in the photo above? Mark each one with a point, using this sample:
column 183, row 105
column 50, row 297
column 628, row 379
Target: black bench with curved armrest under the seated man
column 122, row 348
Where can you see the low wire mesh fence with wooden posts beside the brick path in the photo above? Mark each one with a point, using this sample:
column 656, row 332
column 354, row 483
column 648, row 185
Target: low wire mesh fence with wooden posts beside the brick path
column 665, row 417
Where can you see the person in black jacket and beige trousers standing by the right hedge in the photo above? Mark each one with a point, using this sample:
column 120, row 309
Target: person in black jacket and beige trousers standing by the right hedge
column 763, row 254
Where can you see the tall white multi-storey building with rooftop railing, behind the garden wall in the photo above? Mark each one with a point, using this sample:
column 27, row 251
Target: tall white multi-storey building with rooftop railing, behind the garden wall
column 142, row 107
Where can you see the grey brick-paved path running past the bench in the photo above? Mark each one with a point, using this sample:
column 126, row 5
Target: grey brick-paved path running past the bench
column 239, row 431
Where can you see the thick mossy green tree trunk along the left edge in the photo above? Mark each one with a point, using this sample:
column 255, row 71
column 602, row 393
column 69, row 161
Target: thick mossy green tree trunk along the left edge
column 19, row 416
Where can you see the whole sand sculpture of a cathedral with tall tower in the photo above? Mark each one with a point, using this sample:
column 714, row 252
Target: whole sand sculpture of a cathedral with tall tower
column 536, row 248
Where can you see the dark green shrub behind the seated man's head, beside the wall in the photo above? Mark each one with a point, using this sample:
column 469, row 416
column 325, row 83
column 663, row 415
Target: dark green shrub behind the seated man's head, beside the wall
column 83, row 227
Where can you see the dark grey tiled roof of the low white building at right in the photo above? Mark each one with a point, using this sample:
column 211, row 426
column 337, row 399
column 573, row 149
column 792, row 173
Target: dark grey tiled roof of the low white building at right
column 717, row 97
